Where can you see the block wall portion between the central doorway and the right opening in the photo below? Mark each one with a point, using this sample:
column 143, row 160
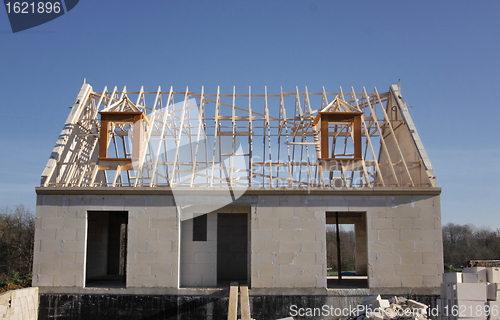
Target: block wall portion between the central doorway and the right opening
column 288, row 243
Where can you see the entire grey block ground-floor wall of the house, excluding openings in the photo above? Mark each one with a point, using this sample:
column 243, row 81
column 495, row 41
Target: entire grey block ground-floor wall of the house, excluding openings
column 287, row 240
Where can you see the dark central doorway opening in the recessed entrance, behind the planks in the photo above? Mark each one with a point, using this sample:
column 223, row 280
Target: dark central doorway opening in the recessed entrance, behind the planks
column 232, row 248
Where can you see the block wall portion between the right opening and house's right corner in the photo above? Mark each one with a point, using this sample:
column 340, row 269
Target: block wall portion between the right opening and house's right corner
column 405, row 243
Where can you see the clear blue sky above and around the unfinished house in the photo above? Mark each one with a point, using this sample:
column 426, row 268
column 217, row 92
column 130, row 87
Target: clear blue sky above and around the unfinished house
column 445, row 53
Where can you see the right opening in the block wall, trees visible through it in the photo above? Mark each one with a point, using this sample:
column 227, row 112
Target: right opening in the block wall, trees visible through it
column 346, row 249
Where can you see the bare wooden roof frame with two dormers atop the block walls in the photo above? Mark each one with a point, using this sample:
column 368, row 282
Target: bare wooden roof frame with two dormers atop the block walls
column 257, row 140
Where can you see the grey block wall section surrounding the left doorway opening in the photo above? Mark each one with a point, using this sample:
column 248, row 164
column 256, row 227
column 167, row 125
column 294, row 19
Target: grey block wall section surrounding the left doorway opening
column 60, row 239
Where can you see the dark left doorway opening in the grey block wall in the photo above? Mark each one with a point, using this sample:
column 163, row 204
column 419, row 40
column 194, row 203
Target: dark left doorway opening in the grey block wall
column 106, row 249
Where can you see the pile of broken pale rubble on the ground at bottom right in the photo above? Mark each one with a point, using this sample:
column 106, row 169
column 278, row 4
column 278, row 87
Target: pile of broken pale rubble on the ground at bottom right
column 376, row 308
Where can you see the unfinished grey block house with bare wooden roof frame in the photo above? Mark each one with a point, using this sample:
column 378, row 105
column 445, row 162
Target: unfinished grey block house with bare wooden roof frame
column 178, row 193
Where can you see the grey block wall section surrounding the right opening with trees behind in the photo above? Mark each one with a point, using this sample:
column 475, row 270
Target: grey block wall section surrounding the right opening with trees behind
column 403, row 249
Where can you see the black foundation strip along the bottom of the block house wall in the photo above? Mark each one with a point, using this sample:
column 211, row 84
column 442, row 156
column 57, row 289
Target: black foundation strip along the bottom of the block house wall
column 180, row 307
